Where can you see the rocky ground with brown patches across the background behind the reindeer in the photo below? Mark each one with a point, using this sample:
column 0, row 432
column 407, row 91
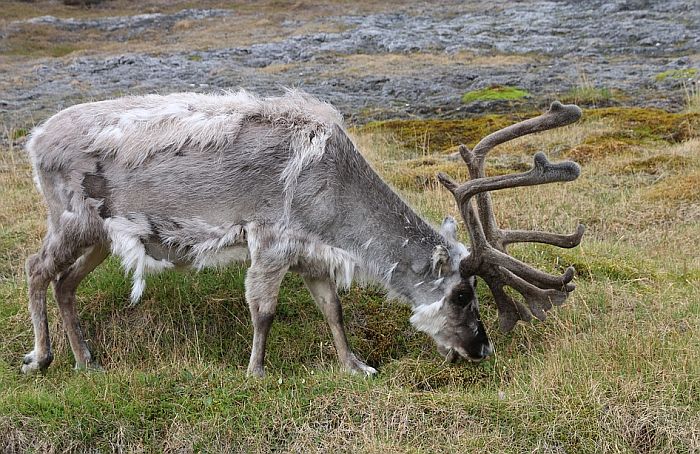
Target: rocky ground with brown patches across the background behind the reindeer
column 410, row 61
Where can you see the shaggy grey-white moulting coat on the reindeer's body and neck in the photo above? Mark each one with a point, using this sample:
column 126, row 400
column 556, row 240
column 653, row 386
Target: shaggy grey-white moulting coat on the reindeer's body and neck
column 214, row 159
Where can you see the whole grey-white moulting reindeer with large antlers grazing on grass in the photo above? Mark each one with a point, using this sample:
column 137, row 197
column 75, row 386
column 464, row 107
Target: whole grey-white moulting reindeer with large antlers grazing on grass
column 206, row 180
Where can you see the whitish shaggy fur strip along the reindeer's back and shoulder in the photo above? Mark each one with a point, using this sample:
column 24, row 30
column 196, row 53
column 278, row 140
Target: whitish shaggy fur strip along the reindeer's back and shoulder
column 131, row 129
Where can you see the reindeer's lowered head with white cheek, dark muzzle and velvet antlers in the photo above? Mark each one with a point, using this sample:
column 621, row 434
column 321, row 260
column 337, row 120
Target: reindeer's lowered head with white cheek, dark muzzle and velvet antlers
column 454, row 321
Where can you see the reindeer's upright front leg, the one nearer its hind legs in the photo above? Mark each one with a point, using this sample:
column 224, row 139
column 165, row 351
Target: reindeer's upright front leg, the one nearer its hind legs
column 262, row 286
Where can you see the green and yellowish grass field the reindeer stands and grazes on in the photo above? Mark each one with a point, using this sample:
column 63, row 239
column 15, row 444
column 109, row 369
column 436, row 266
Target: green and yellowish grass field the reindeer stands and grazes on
column 617, row 369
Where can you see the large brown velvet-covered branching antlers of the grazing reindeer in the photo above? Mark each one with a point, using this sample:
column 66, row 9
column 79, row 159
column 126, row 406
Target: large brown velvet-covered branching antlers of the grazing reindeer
column 488, row 257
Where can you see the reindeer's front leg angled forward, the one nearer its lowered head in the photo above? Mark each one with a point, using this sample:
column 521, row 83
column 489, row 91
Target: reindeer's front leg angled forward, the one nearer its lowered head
column 324, row 293
